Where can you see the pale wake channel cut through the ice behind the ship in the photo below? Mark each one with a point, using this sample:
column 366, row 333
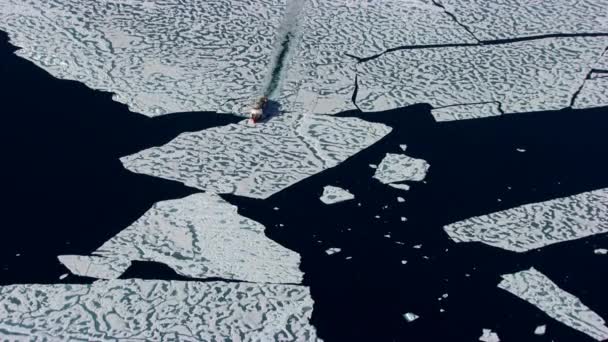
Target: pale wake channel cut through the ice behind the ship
column 287, row 37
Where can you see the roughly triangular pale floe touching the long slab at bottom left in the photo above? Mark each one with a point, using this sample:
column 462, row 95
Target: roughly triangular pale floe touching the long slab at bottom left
column 199, row 236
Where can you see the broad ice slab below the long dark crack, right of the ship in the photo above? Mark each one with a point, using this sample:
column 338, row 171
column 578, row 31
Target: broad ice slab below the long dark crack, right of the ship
column 526, row 76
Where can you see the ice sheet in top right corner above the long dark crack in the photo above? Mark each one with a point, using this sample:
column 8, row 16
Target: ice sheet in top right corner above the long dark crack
column 515, row 18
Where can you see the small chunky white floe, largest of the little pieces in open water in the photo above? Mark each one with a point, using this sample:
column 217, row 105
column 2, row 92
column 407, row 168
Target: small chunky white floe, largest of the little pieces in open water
column 399, row 168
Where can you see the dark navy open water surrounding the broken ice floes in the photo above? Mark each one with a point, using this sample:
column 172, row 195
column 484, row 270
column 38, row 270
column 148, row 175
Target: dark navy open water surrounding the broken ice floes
column 65, row 191
